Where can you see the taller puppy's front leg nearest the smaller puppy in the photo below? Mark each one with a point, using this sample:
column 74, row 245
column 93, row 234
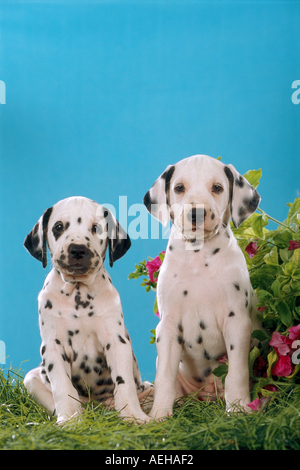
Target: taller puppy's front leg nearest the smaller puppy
column 168, row 343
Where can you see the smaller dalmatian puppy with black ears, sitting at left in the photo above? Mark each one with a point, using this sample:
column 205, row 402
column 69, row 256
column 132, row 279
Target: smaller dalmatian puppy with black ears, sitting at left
column 86, row 350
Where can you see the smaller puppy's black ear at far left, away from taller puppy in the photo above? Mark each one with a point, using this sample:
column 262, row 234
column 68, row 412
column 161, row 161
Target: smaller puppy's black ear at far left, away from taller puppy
column 36, row 240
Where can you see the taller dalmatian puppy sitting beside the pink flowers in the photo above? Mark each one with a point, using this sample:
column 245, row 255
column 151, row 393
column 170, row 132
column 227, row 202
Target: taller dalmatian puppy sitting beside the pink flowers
column 205, row 299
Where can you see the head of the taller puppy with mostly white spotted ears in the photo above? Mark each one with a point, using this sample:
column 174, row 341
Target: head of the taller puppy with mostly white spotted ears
column 200, row 194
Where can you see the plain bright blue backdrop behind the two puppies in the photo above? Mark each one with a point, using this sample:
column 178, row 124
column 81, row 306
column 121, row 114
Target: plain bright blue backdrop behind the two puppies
column 102, row 95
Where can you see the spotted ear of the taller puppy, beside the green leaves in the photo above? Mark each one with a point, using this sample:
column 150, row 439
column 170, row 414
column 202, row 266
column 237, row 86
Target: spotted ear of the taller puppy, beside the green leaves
column 243, row 198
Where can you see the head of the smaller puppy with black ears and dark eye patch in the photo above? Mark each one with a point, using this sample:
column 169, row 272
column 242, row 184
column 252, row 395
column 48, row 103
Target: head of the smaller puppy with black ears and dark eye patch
column 77, row 231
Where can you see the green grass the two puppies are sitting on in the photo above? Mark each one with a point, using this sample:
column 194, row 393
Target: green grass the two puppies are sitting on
column 194, row 425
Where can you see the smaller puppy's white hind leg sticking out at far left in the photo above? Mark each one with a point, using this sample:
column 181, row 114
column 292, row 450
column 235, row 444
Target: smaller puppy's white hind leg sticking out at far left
column 38, row 390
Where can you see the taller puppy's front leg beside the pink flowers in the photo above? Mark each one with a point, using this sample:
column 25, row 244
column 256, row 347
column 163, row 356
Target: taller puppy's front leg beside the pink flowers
column 237, row 339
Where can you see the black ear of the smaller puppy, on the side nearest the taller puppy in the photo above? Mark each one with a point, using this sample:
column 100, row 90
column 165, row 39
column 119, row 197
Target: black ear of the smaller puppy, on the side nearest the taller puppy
column 118, row 240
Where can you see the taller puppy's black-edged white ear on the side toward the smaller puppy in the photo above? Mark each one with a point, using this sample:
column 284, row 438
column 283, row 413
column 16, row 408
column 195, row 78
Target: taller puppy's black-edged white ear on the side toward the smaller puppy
column 157, row 200
